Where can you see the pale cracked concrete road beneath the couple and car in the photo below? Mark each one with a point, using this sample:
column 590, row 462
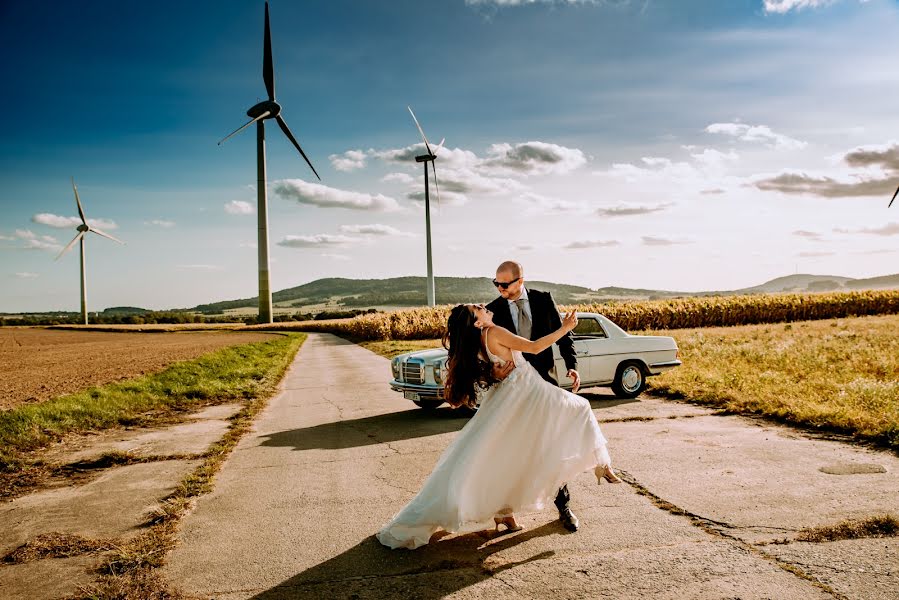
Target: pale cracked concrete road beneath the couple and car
column 337, row 453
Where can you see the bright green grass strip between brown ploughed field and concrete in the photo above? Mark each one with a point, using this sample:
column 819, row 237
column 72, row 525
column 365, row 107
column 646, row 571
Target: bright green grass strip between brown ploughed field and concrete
column 232, row 374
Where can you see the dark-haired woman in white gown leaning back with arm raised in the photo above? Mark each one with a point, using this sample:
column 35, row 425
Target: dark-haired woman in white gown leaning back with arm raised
column 527, row 439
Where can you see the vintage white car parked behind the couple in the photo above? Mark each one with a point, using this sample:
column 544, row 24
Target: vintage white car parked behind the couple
column 607, row 356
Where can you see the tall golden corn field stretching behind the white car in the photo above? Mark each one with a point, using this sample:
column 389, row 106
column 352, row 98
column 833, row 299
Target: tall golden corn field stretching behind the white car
column 707, row 311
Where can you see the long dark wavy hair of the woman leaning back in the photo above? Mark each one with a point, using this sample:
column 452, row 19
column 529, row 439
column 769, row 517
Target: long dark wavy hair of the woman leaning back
column 467, row 369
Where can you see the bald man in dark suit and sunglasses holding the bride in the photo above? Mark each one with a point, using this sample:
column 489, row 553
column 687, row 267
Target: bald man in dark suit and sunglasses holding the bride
column 533, row 314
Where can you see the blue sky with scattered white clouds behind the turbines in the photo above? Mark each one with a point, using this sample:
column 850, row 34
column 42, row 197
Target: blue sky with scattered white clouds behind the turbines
column 690, row 145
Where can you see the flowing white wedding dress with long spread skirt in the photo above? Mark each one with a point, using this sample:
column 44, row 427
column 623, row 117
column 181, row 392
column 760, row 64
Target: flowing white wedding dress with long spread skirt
column 527, row 439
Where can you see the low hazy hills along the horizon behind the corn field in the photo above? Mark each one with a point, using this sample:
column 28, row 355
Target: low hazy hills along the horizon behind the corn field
column 410, row 291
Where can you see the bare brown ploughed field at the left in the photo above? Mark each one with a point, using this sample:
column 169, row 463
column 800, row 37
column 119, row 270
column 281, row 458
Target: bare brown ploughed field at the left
column 39, row 364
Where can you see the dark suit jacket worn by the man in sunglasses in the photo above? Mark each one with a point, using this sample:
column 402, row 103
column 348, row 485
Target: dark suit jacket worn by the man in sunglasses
column 544, row 319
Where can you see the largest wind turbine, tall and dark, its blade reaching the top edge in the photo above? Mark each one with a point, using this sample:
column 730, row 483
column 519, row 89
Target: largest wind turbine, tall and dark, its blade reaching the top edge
column 267, row 109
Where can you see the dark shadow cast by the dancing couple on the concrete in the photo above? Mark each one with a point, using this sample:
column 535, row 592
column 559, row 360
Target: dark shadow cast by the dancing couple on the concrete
column 445, row 566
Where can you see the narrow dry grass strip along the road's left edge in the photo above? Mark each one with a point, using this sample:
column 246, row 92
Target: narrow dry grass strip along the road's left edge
column 130, row 570
